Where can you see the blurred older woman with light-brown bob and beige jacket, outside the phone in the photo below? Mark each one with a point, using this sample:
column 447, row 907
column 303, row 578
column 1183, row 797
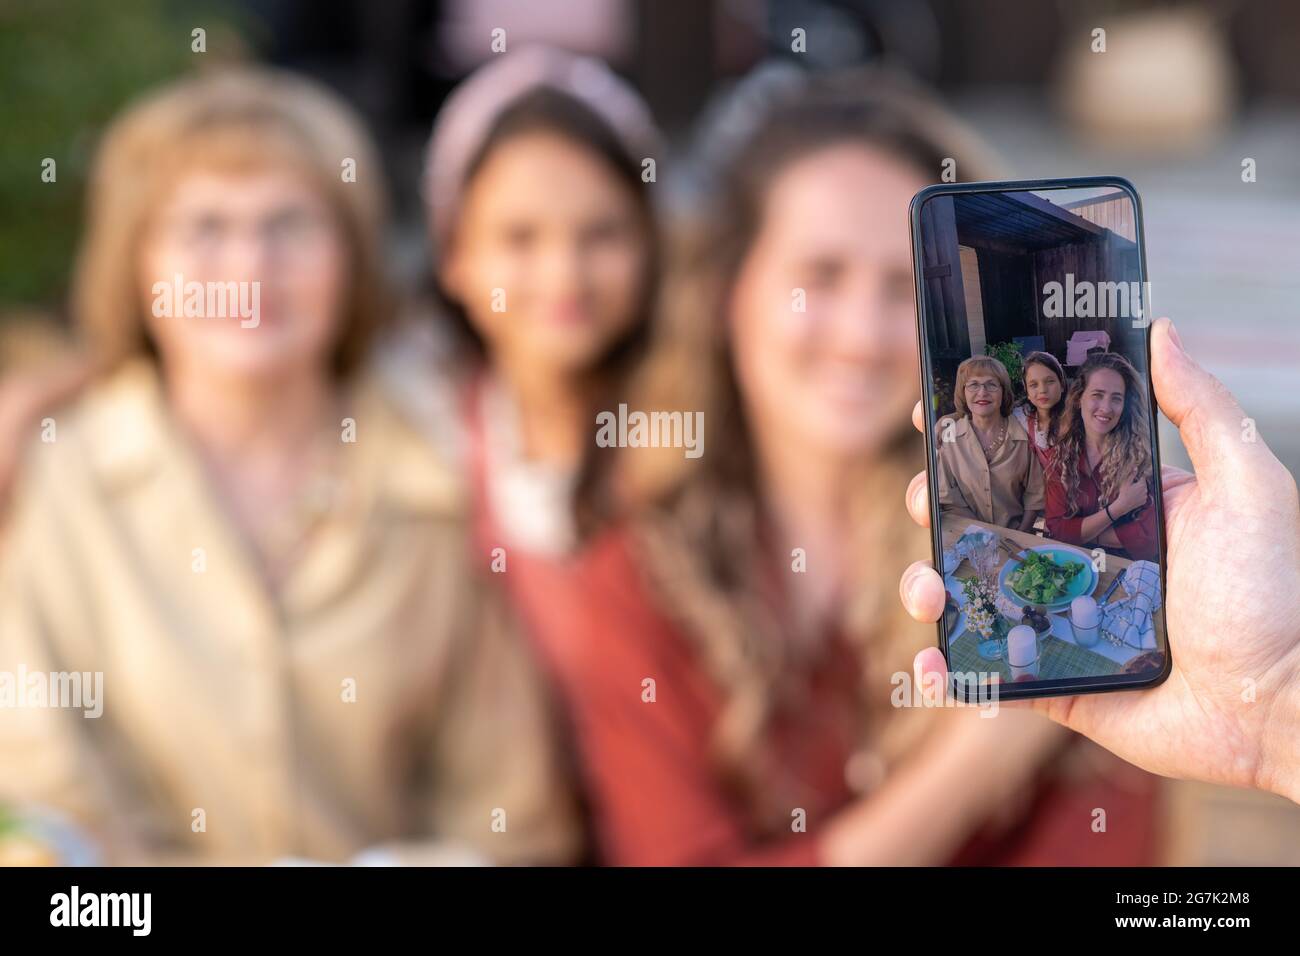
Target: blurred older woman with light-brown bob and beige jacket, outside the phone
column 261, row 557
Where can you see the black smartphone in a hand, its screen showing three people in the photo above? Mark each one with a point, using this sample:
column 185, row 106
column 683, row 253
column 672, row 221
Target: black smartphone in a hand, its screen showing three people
column 1047, row 521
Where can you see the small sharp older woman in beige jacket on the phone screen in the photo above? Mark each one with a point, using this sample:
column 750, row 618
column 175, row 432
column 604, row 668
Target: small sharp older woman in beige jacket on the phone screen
column 986, row 466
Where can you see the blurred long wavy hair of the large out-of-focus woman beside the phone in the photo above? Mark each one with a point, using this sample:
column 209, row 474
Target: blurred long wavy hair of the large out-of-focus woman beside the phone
column 703, row 526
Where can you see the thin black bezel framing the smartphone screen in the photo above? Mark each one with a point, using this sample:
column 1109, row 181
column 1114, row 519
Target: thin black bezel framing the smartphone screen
column 1045, row 689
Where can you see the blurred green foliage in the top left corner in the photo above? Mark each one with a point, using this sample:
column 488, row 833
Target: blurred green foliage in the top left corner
column 67, row 67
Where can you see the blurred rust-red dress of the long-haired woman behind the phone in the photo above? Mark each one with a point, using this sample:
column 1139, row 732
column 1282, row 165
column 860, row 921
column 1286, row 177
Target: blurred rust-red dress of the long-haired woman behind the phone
column 648, row 769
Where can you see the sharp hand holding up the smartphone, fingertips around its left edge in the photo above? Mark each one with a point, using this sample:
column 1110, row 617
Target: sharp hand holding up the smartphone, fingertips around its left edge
column 1230, row 711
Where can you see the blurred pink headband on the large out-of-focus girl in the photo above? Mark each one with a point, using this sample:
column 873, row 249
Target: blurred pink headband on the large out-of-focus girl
column 474, row 109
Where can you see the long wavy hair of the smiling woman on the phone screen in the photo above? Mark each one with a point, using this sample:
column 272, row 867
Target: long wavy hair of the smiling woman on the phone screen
column 1126, row 449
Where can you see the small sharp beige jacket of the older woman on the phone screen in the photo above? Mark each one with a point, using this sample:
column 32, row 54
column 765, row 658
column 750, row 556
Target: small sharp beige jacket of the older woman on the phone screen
column 999, row 492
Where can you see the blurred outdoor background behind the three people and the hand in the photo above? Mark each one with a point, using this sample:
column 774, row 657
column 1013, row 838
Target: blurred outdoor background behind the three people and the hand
column 1197, row 103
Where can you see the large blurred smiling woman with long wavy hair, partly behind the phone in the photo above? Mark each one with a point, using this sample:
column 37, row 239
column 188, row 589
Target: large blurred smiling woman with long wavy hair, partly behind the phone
column 731, row 654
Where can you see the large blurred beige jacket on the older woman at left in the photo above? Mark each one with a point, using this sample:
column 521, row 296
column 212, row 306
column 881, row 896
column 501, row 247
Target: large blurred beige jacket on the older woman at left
column 378, row 698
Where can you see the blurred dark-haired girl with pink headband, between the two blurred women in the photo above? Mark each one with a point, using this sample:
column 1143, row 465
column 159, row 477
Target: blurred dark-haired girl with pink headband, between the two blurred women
column 545, row 254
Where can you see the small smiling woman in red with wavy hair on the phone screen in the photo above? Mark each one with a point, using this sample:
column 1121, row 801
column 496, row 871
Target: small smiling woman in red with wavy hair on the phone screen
column 1099, row 488
